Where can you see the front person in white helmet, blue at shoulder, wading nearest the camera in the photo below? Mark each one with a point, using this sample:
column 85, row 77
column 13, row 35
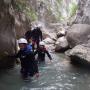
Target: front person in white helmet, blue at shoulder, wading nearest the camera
column 28, row 64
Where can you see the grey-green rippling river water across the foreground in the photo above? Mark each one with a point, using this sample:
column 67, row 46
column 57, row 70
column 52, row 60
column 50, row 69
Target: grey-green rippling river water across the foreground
column 57, row 75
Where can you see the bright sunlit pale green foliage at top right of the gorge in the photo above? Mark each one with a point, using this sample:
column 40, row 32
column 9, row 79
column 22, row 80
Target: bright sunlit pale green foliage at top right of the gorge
column 70, row 10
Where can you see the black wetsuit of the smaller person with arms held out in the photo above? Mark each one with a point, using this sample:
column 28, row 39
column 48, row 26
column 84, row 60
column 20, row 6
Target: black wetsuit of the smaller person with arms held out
column 41, row 54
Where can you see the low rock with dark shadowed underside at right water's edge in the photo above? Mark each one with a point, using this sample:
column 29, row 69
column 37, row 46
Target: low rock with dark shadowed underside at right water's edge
column 80, row 54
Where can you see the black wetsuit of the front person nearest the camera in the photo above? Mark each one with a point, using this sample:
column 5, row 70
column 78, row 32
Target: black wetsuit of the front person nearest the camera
column 28, row 63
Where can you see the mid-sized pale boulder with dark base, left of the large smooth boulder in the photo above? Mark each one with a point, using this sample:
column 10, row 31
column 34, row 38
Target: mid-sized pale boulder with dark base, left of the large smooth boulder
column 61, row 44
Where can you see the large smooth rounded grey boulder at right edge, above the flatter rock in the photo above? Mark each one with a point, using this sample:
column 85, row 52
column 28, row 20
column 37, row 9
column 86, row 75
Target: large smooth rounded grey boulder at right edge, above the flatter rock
column 78, row 34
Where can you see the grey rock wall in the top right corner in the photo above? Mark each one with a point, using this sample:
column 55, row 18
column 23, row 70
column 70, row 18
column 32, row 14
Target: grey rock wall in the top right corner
column 83, row 13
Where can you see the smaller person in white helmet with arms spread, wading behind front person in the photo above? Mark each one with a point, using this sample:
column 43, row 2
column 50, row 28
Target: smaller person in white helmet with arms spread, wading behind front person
column 41, row 51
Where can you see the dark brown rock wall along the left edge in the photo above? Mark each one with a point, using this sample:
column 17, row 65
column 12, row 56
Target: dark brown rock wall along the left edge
column 7, row 34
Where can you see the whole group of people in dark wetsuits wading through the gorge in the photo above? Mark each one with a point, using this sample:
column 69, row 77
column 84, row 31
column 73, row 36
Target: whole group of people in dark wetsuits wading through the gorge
column 28, row 51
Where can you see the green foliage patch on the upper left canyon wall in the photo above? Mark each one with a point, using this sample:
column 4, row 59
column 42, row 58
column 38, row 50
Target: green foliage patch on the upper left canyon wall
column 24, row 7
